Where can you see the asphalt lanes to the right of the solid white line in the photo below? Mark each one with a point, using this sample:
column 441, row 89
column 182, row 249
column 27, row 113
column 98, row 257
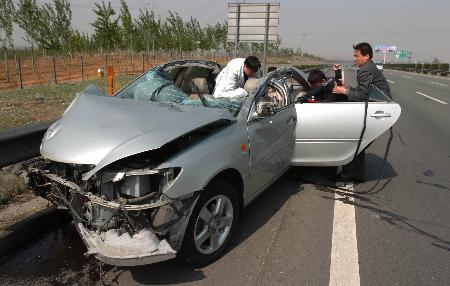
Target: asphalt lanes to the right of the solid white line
column 403, row 231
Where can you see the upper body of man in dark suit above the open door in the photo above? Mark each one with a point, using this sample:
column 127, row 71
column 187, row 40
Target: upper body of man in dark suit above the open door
column 368, row 73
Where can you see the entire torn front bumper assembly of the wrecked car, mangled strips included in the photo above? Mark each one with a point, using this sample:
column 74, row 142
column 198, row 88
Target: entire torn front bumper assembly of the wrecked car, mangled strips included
column 118, row 232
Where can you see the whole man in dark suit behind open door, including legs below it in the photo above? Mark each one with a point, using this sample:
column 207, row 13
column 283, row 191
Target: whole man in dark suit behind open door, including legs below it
column 368, row 74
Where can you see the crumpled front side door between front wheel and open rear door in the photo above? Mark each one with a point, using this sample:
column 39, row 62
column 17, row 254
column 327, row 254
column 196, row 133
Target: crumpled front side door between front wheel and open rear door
column 271, row 135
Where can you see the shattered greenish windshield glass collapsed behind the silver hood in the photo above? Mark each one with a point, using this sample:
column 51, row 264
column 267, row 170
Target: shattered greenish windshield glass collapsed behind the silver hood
column 156, row 85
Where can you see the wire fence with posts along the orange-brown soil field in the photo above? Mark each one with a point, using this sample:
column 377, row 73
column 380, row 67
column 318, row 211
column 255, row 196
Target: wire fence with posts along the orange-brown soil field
column 44, row 70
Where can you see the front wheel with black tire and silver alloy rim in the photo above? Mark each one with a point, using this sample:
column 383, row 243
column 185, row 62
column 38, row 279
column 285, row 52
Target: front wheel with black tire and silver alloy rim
column 211, row 226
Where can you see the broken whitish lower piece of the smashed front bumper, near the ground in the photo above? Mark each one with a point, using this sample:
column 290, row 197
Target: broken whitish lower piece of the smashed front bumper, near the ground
column 123, row 250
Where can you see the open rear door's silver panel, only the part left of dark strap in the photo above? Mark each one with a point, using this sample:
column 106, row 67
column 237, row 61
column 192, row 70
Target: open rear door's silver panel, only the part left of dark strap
column 327, row 133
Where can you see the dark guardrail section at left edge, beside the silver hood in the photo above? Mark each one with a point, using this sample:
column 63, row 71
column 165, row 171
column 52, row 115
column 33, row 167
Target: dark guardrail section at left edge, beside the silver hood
column 21, row 143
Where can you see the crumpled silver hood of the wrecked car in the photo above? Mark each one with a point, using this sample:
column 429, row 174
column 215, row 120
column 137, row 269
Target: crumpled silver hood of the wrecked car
column 100, row 130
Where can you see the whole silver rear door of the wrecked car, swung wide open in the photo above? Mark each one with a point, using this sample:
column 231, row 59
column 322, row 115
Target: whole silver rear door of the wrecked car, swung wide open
column 327, row 134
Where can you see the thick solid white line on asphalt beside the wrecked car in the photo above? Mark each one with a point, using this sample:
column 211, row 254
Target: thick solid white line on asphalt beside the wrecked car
column 344, row 268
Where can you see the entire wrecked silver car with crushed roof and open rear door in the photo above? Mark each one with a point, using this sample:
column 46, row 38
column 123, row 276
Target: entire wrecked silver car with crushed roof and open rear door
column 162, row 168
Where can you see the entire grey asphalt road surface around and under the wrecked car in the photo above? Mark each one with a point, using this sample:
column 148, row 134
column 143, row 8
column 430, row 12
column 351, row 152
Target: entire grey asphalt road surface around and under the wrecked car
column 301, row 233
